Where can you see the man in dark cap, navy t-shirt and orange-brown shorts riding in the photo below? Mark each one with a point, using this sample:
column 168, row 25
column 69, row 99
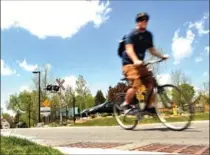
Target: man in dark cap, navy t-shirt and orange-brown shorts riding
column 136, row 43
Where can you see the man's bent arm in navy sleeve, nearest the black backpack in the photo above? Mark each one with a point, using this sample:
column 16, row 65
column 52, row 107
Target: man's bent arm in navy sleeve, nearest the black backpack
column 129, row 48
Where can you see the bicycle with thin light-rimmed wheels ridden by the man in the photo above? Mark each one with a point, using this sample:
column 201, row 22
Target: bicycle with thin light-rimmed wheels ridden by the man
column 137, row 112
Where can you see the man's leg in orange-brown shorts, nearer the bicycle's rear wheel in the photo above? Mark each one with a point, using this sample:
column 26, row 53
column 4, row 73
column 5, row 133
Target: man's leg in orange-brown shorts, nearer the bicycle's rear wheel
column 132, row 74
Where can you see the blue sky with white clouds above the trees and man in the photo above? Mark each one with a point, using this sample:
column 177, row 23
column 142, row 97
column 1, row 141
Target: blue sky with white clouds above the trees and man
column 74, row 42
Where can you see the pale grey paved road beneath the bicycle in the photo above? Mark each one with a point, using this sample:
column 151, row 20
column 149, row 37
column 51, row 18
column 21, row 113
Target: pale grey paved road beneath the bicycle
column 197, row 134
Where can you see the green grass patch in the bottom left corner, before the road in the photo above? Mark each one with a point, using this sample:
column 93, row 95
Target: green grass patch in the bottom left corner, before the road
column 13, row 145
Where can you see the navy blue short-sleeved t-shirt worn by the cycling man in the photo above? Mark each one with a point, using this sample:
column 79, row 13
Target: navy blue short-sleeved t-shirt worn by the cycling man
column 141, row 42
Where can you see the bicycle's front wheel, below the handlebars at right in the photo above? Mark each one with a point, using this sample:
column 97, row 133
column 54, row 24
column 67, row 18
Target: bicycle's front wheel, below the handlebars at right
column 173, row 108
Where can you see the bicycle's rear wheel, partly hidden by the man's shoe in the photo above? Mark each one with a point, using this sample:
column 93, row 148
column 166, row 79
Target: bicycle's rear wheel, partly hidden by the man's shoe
column 126, row 120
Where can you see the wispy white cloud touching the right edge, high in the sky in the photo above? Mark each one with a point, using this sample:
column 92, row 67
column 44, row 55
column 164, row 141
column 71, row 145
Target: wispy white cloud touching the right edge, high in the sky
column 199, row 25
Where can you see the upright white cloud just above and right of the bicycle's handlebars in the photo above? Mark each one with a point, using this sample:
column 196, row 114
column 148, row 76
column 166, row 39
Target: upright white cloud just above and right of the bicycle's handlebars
column 182, row 46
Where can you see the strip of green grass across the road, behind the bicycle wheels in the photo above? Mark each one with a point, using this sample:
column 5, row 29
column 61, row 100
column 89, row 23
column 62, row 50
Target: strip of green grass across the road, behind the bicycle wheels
column 111, row 121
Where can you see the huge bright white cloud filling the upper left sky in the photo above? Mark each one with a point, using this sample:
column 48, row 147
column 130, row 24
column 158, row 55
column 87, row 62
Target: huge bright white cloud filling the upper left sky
column 53, row 18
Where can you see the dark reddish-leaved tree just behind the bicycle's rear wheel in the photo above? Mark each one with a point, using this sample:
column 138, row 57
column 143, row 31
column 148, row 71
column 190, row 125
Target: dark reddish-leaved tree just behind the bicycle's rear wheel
column 119, row 88
